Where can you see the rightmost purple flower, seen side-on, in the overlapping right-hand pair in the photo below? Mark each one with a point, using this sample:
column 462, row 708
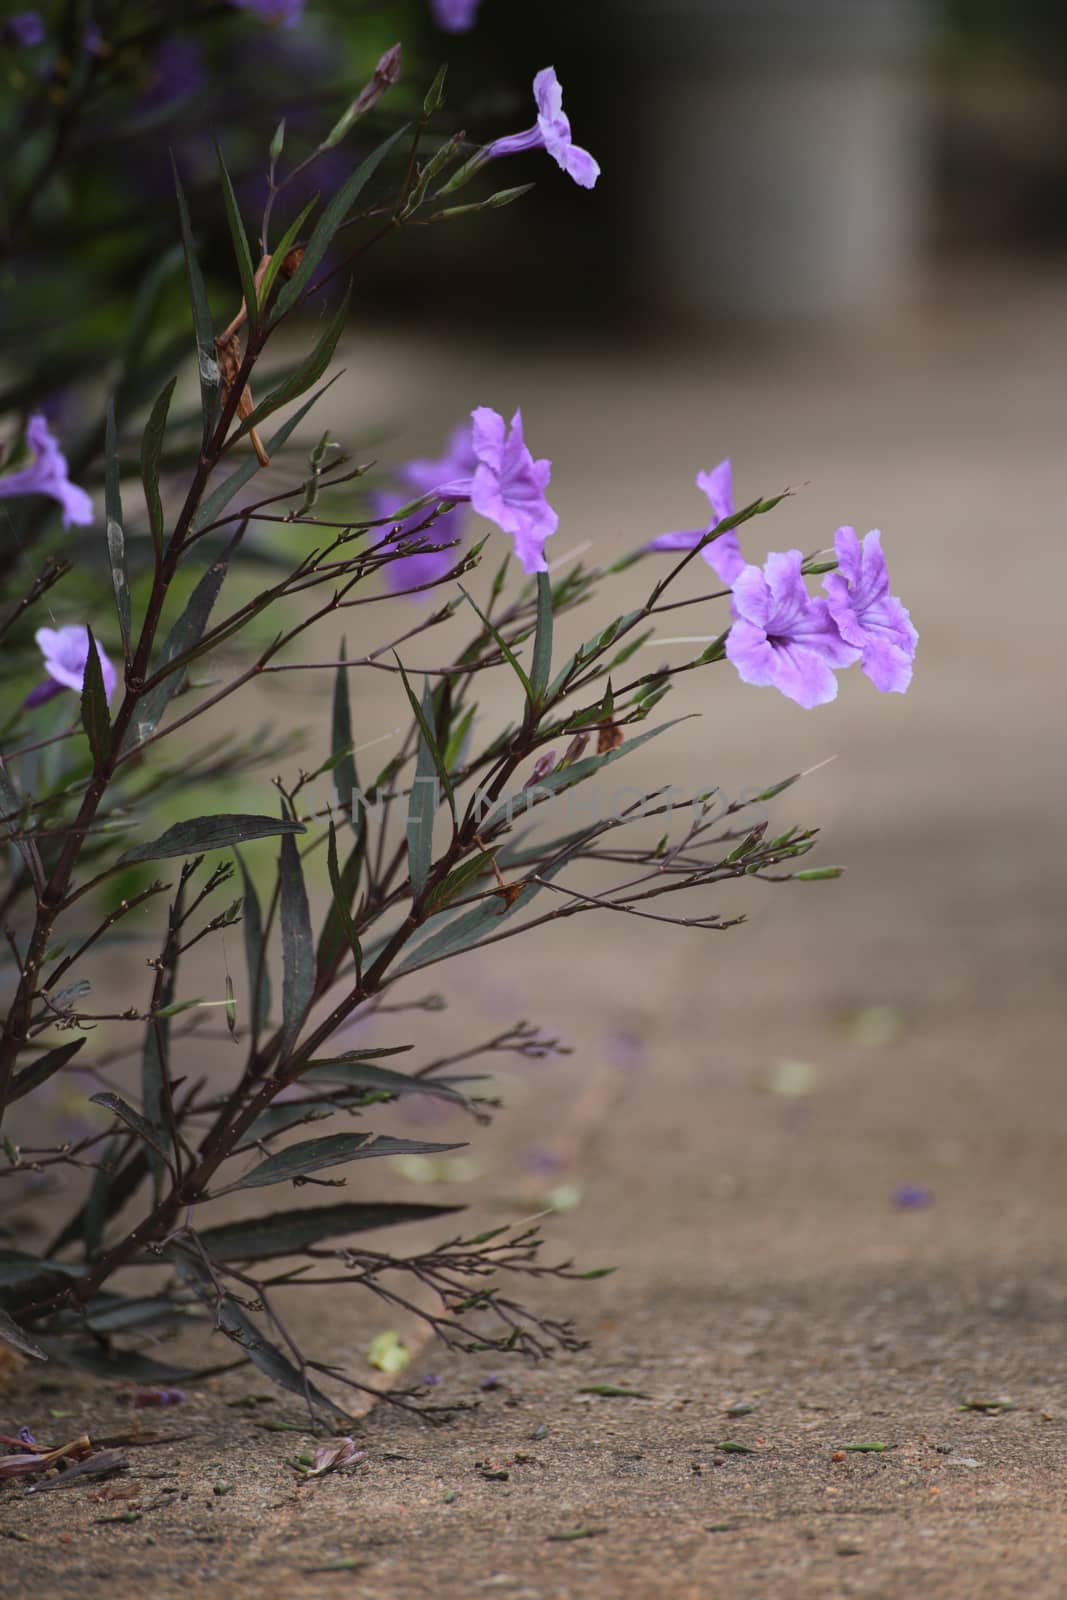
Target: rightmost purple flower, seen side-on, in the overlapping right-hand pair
column 868, row 615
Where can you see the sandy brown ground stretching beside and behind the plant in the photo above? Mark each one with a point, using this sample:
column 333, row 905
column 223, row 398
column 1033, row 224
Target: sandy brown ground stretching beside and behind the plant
column 764, row 1260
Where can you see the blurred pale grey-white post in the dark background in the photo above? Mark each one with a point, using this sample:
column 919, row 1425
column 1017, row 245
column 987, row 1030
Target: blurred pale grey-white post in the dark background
column 780, row 154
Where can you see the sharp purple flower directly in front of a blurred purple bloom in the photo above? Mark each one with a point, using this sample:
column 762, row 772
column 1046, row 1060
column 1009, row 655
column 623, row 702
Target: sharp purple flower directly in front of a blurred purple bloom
column 508, row 487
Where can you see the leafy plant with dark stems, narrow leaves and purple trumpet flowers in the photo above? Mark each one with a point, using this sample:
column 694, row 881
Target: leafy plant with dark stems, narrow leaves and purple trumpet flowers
column 417, row 865
